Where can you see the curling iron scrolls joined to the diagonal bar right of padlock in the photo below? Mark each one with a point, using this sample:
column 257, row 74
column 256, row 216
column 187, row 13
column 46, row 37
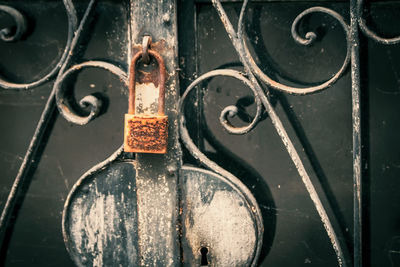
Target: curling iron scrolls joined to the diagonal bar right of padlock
column 252, row 72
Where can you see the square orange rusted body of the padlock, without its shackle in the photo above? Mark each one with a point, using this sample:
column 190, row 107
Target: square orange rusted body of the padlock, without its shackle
column 146, row 133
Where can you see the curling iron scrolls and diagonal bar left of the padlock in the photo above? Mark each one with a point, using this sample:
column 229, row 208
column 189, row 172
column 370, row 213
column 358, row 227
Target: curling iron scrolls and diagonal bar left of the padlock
column 62, row 70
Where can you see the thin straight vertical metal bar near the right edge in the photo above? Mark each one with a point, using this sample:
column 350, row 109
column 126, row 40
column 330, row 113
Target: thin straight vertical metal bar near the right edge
column 356, row 117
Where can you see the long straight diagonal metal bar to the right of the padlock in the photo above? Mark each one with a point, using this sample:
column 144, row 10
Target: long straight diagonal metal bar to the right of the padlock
column 239, row 47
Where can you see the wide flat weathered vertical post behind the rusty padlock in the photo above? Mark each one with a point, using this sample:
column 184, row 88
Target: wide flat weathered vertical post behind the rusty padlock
column 157, row 175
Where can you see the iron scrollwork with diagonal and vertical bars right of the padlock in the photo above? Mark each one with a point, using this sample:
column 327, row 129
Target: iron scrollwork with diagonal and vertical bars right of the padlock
column 253, row 74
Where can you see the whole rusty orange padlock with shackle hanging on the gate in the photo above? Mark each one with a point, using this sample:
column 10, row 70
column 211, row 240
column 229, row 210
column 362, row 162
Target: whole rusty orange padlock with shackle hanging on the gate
column 146, row 133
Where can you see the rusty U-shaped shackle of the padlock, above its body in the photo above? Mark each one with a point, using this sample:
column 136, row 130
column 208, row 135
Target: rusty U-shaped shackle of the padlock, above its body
column 161, row 82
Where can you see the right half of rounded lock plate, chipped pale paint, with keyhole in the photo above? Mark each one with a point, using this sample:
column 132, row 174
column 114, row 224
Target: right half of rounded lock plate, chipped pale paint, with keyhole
column 219, row 224
